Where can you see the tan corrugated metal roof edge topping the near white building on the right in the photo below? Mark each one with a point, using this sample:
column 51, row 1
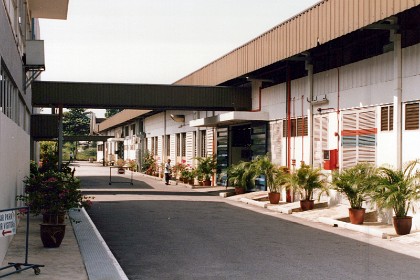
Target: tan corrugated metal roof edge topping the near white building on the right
column 321, row 23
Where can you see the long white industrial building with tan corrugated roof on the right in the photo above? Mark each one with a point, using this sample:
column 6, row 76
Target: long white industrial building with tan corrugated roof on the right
column 333, row 86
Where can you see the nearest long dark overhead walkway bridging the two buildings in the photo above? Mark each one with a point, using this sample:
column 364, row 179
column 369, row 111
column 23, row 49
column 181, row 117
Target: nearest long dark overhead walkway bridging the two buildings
column 140, row 96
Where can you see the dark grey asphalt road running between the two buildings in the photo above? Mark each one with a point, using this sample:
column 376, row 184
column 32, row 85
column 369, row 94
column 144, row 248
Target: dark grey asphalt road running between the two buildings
column 166, row 236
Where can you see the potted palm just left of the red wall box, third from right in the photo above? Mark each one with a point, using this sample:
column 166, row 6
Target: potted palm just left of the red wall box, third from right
column 305, row 181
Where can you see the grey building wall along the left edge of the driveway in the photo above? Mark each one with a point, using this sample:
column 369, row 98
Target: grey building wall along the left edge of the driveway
column 21, row 61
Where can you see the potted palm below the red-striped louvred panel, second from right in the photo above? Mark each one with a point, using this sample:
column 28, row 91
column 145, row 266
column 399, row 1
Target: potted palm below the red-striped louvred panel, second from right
column 354, row 183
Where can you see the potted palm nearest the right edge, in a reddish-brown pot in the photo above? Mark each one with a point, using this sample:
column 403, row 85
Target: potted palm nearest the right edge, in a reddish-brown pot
column 397, row 189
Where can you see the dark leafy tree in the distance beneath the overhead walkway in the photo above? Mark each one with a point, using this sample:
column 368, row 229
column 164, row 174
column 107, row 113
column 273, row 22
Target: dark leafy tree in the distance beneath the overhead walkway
column 76, row 122
